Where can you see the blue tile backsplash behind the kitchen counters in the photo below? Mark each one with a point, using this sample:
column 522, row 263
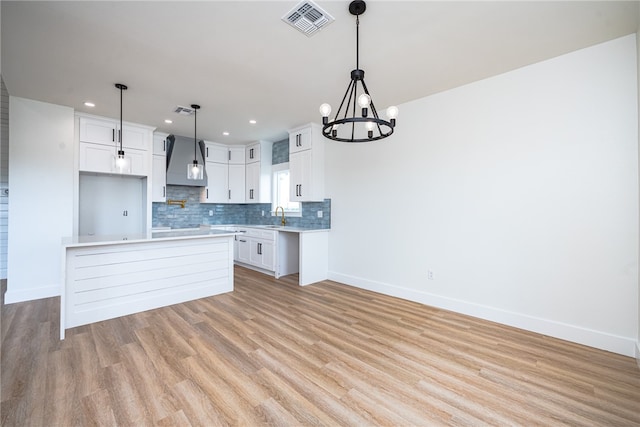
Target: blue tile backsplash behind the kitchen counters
column 196, row 213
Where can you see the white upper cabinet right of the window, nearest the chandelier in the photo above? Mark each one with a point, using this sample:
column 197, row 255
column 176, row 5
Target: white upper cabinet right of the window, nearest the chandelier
column 306, row 164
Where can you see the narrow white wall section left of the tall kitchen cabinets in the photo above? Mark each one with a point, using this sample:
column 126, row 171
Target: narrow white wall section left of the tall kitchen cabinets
column 41, row 159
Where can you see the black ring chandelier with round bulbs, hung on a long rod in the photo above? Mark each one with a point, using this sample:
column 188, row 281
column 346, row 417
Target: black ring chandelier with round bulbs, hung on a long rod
column 346, row 126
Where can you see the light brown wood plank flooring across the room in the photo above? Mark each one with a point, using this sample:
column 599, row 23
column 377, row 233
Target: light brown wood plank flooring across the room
column 273, row 353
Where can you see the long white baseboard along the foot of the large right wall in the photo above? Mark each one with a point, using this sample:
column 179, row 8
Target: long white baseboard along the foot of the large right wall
column 573, row 333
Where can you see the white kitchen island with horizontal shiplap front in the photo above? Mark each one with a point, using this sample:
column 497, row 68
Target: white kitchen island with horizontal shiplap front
column 108, row 277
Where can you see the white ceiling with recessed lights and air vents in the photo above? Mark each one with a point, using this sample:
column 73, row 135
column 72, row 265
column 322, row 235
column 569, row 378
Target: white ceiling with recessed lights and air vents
column 239, row 61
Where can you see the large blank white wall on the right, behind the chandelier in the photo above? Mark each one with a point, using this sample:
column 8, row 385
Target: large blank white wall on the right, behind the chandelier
column 519, row 192
